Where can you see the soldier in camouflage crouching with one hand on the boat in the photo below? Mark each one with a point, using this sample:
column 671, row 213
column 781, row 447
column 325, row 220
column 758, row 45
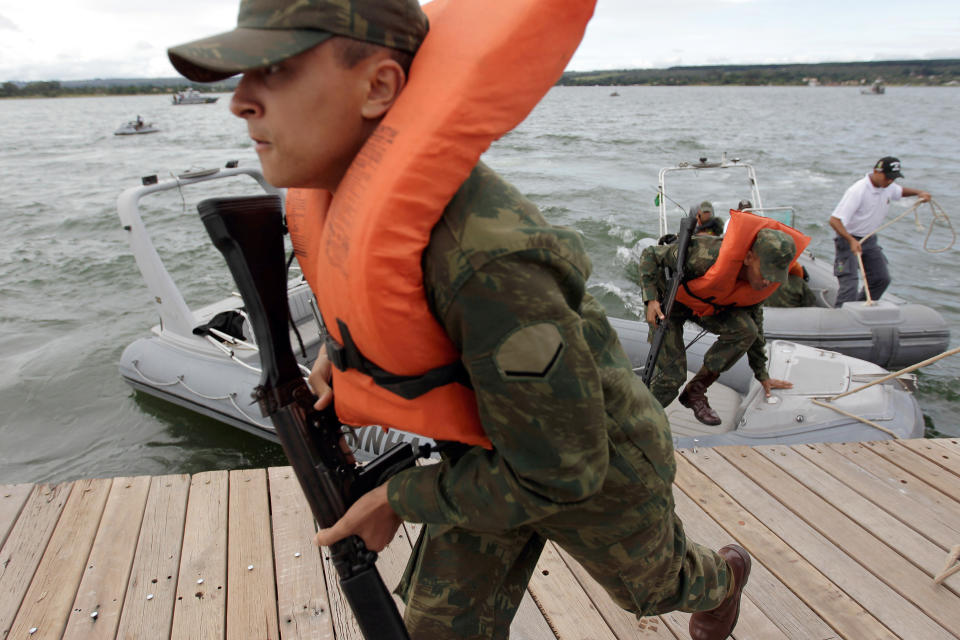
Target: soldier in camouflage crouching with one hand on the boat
column 739, row 330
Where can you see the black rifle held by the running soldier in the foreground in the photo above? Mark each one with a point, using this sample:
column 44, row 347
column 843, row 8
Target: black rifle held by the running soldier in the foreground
column 248, row 231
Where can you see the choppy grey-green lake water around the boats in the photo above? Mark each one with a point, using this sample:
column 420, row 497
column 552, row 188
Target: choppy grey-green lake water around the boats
column 71, row 297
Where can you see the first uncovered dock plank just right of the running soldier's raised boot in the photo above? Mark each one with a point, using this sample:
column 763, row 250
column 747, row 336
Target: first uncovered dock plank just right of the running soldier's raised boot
column 700, row 481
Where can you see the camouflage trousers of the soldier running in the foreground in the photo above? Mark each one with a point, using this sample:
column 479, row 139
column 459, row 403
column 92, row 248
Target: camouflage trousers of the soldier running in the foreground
column 468, row 584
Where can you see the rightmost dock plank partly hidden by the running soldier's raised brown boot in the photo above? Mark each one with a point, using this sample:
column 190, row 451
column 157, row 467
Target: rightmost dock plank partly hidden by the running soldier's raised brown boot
column 780, row 606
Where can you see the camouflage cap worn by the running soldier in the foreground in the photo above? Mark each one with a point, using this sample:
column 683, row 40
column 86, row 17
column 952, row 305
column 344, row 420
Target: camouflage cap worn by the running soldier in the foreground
column 269, row 31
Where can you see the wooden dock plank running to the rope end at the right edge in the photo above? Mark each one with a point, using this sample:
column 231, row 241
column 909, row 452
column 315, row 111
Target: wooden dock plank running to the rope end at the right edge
column 923, row 553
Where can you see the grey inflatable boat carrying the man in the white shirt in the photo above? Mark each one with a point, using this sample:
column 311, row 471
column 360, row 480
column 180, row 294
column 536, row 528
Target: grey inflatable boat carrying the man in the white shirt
column 891, row 332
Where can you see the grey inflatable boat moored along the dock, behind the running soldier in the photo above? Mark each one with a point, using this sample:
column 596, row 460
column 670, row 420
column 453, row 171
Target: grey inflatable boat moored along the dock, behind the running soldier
column 203, row 359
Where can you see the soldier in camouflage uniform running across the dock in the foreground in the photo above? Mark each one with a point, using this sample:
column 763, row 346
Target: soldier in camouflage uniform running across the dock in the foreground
column 582, row 453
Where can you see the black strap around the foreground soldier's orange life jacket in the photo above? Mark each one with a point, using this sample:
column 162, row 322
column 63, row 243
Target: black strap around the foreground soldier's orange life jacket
column 347, row 356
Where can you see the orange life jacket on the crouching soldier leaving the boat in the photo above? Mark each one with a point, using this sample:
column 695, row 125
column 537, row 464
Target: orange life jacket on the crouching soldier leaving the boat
column 719, row 288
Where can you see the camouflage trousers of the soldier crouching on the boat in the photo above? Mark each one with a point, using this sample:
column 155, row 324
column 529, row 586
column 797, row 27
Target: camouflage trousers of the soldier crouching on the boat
column 735, row 329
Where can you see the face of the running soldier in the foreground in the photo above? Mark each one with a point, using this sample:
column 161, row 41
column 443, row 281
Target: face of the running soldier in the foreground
column 304, row 116
